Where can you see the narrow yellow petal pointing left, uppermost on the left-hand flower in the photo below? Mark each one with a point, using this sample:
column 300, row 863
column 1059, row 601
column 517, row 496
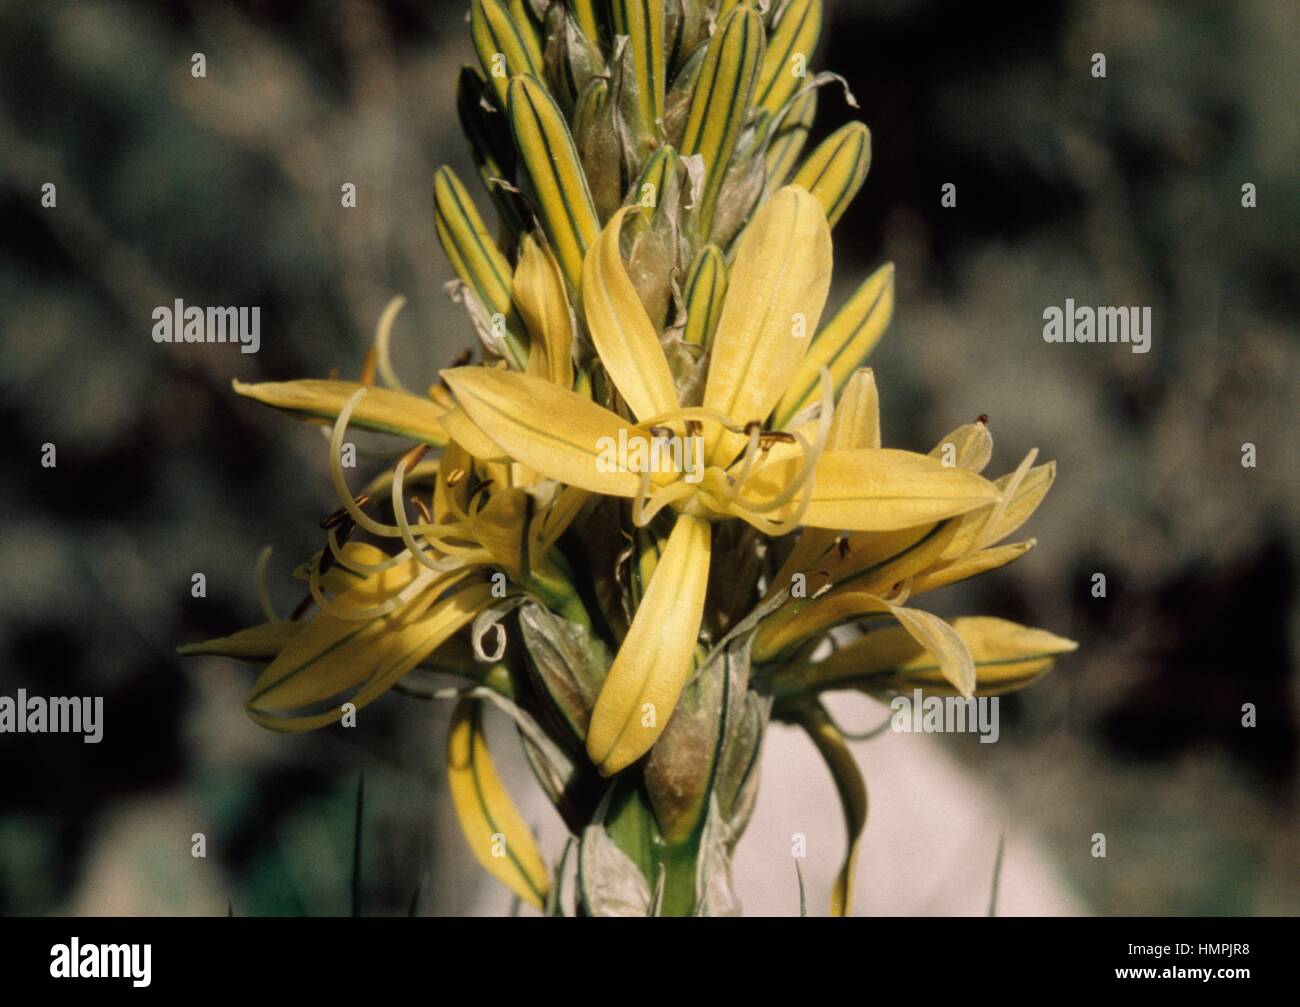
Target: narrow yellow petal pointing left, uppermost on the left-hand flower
column 391, row 413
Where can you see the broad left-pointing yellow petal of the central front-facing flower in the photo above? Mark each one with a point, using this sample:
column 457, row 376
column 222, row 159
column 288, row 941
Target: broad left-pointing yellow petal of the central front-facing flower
column 551, row 429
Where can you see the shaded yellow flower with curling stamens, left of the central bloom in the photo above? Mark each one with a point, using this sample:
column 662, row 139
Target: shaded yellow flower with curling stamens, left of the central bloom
column 380, row 614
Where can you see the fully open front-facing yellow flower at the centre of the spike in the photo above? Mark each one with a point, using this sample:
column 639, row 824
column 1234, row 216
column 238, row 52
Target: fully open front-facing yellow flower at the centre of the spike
column 774, row 480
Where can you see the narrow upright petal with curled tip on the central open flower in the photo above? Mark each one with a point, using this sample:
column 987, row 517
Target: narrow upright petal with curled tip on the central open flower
column 623, row 335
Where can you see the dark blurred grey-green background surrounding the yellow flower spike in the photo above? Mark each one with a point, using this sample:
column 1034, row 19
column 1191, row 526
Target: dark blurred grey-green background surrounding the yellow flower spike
column 226, row 190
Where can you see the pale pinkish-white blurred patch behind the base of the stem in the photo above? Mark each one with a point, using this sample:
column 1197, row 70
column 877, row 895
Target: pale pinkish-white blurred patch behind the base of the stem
column 929, row 848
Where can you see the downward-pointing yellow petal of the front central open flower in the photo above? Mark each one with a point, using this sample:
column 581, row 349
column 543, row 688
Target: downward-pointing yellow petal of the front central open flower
column 657, row 657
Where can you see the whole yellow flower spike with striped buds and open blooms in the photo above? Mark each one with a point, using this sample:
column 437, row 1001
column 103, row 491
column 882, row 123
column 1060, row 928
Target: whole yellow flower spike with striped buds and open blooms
column 661, row 501
